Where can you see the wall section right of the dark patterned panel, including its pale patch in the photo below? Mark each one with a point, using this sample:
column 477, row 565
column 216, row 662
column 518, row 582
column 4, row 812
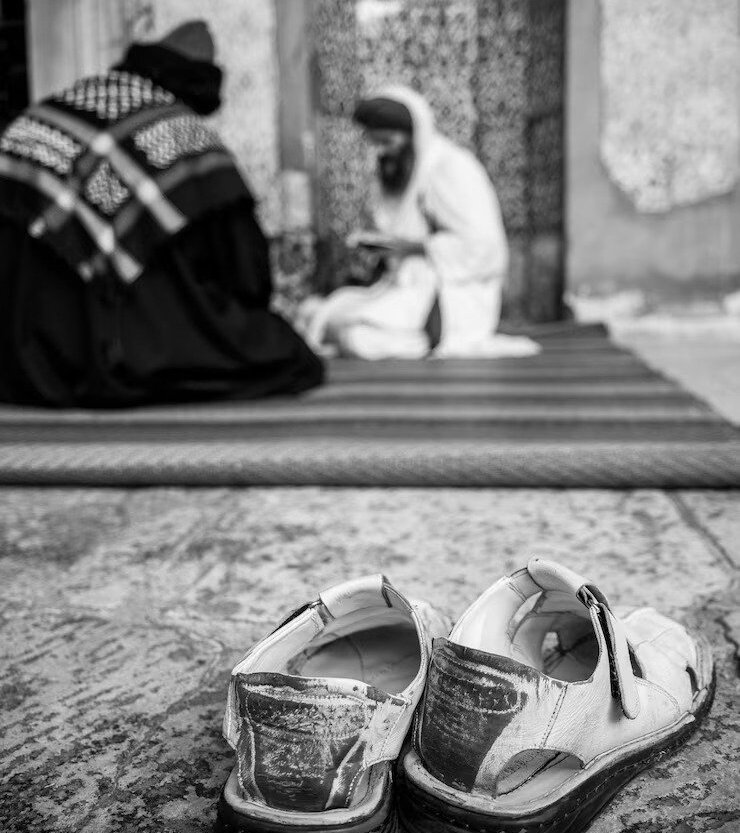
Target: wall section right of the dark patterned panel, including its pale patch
column 654, row 147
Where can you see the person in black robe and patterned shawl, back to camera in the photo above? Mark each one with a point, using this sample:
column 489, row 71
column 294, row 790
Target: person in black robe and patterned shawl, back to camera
column 132, row 267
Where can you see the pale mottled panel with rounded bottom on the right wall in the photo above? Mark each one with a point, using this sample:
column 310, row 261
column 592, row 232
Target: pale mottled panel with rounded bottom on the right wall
column 671, row 99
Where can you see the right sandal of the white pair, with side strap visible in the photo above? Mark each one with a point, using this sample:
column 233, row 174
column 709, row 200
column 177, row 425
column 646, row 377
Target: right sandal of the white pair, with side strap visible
column 542, row 704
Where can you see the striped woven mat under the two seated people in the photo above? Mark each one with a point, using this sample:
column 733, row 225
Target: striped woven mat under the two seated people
column 582, row 413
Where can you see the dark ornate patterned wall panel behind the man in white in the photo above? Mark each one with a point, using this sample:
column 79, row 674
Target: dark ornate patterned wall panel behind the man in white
column 492, row 71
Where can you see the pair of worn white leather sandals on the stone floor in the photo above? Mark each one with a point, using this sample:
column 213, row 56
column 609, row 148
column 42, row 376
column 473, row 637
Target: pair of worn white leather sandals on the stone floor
column 364, row 713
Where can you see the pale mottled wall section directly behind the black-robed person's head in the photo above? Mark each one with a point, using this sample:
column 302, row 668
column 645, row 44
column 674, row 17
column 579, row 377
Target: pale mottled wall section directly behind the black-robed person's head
column 69, row 38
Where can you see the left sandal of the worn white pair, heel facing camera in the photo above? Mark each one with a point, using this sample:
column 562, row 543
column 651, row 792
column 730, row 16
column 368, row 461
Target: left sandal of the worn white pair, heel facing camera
column 317, row 712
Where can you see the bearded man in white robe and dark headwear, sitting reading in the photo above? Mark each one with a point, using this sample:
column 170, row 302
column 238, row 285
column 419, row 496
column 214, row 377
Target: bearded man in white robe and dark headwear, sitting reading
column 438, row 226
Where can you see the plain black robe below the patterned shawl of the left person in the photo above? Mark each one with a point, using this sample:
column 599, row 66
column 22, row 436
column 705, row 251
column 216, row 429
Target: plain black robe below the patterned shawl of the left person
column 194, row 325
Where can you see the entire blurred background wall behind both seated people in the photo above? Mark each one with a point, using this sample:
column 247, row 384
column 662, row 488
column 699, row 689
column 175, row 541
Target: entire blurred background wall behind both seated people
column 611, row 128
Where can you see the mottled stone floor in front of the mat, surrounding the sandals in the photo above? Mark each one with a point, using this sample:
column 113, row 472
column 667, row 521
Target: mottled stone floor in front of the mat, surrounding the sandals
column 122, row 612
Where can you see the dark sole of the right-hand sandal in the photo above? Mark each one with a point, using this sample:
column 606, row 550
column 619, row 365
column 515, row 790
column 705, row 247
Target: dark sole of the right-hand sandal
column 423, row 812
